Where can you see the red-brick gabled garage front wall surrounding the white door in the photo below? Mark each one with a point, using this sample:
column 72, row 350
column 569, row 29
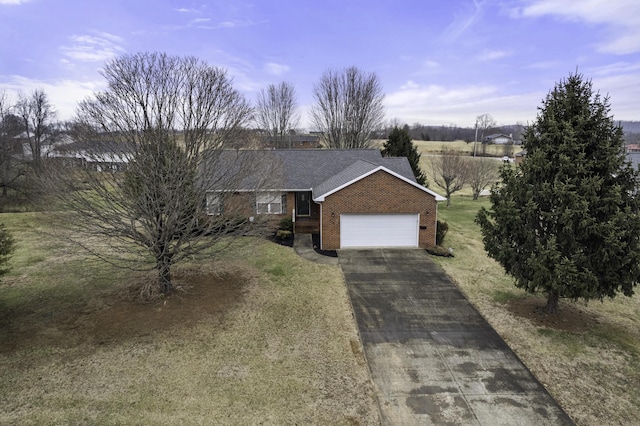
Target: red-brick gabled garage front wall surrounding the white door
column 379, row 193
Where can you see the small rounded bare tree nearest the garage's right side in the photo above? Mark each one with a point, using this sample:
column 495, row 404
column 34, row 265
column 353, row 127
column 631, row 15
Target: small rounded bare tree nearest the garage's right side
column 450, row 171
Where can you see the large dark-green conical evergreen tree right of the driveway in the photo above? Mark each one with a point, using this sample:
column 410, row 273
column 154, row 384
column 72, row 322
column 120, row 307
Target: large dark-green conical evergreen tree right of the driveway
column 565, row 222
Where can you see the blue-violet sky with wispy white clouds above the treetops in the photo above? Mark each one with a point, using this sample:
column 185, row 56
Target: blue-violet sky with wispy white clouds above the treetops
column 440, row 62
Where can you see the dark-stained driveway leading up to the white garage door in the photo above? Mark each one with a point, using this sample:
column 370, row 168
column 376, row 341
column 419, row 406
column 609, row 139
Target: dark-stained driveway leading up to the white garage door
column 433, row 358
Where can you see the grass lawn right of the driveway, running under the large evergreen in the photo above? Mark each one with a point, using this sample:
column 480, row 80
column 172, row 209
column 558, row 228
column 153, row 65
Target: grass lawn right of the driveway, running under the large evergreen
column 588, row 355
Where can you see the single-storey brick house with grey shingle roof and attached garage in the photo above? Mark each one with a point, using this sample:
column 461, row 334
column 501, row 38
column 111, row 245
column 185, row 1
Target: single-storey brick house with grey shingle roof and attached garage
column 351, row 198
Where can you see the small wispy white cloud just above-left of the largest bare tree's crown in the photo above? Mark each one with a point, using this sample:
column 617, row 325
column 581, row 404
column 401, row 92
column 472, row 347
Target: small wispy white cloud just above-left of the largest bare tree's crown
column 93, row 48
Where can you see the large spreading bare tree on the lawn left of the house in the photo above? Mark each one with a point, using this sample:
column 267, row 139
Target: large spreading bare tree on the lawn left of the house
column 165, row 120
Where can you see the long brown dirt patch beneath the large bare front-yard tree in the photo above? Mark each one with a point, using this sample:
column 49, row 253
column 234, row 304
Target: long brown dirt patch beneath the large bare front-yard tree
column 201, row 296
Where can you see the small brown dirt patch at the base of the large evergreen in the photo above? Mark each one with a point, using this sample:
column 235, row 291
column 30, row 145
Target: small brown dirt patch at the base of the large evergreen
column 569, row 318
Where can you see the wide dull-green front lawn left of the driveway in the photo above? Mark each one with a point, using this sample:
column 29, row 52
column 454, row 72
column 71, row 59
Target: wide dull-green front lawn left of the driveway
column 260, row 336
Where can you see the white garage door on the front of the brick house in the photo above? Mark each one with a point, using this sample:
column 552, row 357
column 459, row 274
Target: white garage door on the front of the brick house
column 379, row 230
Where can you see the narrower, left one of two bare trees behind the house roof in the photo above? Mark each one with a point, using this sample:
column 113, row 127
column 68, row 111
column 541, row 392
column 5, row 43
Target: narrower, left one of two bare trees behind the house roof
column 276, row 112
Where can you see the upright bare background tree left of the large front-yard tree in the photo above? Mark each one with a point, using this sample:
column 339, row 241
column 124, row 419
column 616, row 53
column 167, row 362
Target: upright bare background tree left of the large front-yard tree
column 38, row 119
